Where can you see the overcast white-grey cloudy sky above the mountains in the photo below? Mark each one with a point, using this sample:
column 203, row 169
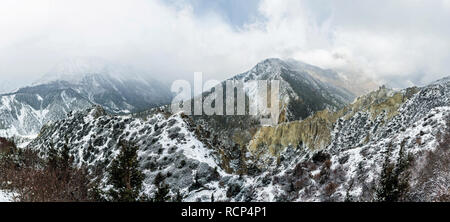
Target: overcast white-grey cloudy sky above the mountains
column 399, row 42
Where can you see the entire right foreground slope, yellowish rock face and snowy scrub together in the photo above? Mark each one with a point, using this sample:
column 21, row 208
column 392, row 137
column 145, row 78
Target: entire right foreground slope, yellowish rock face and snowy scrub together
column 381, row 131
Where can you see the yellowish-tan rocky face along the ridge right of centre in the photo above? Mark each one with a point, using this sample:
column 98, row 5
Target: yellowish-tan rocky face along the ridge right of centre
column 316, row 132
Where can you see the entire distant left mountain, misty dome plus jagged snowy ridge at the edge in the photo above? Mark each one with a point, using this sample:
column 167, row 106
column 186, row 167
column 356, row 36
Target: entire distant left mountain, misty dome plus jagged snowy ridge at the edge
column 75, row 85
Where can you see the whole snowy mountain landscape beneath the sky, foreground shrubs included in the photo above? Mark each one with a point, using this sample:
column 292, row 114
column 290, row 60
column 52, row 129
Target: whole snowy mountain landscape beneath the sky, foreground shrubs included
column 326, row 143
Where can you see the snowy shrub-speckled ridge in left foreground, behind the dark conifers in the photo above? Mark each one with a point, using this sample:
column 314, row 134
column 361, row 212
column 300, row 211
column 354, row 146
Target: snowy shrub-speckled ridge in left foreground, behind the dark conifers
column 167, row 145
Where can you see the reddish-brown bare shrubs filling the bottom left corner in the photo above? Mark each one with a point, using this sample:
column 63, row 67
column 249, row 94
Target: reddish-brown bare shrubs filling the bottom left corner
column 33, row 179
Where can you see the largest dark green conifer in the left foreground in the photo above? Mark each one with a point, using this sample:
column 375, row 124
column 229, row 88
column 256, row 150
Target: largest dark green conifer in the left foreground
column 125, row 175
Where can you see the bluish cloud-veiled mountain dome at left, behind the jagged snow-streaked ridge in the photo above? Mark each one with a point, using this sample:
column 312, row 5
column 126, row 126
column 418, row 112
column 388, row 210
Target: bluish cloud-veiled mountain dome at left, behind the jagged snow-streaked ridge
column 117, row 88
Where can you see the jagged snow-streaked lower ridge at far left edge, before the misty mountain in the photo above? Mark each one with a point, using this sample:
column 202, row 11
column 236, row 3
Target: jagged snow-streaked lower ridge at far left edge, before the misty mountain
column 24, row 112
